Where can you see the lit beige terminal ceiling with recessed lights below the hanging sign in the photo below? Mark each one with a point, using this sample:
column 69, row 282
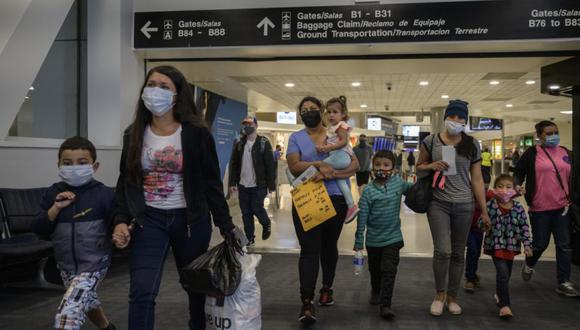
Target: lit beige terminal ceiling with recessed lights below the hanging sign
column 396, row 88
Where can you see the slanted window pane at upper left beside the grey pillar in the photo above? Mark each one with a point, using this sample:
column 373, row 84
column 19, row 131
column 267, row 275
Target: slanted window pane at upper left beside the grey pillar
column 55, row 105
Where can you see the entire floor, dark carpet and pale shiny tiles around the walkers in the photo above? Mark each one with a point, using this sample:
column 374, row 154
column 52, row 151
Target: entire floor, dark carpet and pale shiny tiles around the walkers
column 535, row 303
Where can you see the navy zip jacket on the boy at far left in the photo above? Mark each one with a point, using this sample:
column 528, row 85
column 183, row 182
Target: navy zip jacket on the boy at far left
column 81, row 234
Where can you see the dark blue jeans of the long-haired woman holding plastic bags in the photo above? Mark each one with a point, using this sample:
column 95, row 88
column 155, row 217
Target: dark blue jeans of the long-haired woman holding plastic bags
column 149, row 247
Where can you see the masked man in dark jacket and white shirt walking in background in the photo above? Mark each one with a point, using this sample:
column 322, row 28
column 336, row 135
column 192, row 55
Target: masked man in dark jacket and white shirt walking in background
column 252, row 174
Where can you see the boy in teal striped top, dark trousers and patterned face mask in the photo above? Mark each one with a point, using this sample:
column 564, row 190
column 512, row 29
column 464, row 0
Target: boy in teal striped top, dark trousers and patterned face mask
column 380, row 205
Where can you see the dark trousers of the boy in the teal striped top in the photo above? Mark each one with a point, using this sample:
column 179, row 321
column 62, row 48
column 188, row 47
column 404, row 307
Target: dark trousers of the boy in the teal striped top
column 383, row 263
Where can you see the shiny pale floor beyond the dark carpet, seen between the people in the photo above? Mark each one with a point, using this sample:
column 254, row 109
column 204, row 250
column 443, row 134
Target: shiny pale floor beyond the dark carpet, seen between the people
column 415, row 228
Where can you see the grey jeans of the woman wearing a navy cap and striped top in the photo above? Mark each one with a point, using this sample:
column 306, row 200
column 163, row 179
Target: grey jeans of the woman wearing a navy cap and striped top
column 449, row 224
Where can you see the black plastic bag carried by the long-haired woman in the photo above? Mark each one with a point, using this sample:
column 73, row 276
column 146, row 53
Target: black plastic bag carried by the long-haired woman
column 215, row 273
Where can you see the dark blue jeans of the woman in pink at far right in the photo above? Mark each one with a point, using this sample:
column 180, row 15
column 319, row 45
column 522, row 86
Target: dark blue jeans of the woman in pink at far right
column 544, row 224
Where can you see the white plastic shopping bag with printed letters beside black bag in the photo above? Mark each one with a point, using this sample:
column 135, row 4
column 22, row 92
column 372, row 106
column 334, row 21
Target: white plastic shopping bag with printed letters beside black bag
column 243, row 309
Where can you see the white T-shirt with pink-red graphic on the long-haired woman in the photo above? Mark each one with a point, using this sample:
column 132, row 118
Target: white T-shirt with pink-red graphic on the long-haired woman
column 162, row 162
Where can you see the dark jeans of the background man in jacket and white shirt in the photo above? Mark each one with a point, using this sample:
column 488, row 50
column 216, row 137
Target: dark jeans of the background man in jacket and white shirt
column 252, row 203
